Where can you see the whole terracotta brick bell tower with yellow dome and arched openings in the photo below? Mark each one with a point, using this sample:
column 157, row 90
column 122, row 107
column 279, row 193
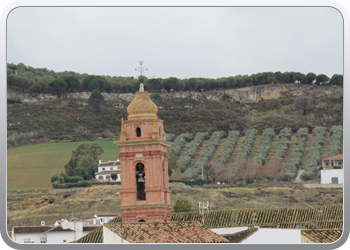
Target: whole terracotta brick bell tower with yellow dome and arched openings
column 145, row 194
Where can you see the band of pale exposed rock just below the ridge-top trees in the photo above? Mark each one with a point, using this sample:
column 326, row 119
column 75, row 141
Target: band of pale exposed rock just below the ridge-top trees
column 251, row 94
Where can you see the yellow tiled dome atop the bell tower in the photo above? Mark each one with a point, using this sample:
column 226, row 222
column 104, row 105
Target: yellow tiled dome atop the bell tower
column 142, row 107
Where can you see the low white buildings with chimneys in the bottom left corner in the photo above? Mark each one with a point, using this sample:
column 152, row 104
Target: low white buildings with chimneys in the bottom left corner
column 62, row 232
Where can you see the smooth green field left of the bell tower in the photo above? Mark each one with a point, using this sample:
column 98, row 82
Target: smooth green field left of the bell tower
column 31, row 167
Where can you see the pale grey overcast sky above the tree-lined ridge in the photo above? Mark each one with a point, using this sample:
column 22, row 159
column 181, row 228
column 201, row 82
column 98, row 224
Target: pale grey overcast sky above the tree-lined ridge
column 183, row 42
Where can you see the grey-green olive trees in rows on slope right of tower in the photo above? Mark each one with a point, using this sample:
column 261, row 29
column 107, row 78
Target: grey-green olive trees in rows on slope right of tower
column 258, row 168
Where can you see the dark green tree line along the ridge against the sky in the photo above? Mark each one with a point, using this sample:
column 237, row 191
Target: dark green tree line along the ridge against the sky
column 42, row 80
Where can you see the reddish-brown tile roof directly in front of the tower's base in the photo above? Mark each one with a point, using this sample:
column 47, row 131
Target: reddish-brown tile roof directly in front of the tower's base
column 168, row 232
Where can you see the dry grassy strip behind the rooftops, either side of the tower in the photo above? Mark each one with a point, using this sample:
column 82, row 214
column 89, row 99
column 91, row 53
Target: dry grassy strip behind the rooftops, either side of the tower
column 31, row 209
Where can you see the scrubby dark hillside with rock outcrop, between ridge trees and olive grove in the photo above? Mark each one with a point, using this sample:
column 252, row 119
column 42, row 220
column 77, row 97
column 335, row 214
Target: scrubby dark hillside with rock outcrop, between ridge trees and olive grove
column 236, row 109
